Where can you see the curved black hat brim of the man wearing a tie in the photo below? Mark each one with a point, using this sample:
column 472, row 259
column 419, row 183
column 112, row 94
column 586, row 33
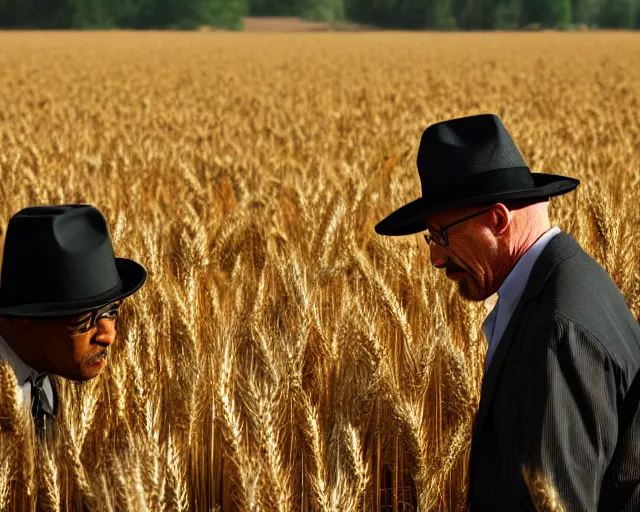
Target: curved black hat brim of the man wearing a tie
column 132, row 277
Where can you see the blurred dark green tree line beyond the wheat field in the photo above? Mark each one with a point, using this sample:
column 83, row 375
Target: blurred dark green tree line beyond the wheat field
column 410, row 14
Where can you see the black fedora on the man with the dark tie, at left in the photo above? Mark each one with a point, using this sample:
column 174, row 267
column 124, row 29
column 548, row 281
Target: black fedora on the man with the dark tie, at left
column 59, row 261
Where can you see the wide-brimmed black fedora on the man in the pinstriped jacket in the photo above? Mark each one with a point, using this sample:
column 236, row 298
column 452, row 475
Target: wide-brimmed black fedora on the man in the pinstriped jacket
column 470, row 161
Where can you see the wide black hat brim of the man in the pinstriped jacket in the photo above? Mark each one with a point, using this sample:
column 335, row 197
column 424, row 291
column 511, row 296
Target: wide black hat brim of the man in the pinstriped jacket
column 410, row 218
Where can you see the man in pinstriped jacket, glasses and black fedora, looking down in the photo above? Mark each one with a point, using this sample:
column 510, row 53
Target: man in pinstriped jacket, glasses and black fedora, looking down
column 561, row 391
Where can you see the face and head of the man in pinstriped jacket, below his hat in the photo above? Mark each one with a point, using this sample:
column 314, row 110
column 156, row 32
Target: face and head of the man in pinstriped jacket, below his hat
column 483, row 250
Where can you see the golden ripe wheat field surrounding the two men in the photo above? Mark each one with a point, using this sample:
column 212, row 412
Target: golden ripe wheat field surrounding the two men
column 282, row 356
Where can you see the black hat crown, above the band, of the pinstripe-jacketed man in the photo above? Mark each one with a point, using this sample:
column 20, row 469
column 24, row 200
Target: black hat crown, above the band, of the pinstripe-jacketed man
column 453, row 151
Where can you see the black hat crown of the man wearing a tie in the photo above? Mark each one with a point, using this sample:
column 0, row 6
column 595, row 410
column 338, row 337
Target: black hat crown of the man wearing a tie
column 57, row 254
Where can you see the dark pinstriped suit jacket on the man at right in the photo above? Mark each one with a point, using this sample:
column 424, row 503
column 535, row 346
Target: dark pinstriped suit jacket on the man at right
column 562, row 393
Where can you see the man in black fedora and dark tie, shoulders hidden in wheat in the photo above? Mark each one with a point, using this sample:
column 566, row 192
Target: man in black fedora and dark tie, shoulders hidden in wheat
column 60, row 290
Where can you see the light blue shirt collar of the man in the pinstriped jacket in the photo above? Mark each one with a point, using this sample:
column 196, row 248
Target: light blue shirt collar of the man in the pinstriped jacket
column 510, row 292
